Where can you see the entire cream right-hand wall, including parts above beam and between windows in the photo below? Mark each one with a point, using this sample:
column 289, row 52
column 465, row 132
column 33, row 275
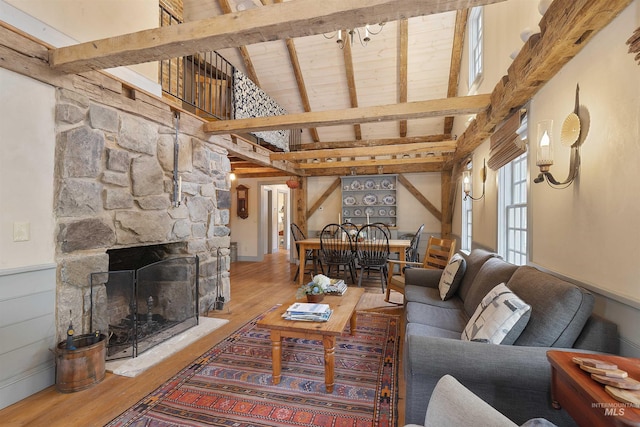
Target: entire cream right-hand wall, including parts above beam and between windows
column 587, row 233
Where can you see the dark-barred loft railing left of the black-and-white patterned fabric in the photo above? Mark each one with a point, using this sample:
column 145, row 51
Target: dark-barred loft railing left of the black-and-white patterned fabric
column 202, row 83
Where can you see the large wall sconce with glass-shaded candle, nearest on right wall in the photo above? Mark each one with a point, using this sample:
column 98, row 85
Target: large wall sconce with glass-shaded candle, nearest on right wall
column 570, row 137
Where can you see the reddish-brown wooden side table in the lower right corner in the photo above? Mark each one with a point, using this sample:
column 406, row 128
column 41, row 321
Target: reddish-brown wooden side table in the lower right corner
column 584, row 398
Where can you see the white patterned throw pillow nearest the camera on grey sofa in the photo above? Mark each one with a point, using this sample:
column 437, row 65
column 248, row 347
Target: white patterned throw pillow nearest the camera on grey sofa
column 498, row 314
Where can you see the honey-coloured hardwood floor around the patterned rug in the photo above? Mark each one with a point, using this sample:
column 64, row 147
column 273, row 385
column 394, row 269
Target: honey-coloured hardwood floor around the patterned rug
column 255, row 287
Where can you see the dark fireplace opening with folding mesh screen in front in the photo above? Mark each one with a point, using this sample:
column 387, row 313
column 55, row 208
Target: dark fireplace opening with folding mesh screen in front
column 149, row 295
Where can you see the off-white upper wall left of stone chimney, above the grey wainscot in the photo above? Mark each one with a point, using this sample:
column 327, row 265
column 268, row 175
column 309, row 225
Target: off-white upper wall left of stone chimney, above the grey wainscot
column 27, row 144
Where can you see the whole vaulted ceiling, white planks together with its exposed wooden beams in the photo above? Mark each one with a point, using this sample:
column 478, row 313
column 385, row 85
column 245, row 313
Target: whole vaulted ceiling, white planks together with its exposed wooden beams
column 385, row 107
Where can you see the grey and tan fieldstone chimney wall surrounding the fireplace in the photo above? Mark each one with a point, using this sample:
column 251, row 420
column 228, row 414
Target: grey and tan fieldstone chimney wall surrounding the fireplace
column 114, row 188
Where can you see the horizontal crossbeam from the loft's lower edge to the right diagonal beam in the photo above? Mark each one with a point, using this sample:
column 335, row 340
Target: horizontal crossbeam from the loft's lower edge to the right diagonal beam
column 411, row 110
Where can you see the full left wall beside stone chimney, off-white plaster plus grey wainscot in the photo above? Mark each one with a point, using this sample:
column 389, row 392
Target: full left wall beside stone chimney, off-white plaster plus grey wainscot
column 27, row 268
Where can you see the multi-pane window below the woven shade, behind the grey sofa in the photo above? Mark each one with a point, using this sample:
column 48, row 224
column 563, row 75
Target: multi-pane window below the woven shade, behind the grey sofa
column 512, row 211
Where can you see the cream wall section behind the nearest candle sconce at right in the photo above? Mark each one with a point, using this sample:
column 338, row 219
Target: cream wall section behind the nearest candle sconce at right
column 590, row 231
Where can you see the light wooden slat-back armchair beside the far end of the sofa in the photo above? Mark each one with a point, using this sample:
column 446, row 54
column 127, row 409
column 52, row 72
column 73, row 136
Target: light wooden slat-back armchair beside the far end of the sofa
column 437, row 255
